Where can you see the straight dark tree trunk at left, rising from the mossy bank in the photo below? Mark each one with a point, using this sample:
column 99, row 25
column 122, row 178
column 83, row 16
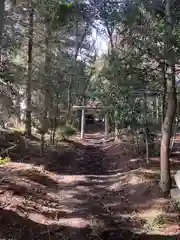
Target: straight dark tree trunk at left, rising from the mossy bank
column 29, row 79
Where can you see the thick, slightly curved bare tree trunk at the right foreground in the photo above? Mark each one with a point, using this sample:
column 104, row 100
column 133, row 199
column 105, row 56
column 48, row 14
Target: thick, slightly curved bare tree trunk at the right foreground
column 165, row 182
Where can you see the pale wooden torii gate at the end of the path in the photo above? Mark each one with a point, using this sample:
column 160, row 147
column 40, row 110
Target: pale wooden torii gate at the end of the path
column 102, row 109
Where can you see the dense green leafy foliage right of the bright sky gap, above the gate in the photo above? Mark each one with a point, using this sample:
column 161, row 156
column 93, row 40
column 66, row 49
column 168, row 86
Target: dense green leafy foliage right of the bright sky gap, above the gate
column 134, row 67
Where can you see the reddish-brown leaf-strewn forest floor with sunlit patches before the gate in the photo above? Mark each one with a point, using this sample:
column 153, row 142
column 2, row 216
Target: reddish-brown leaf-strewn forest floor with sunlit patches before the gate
column 84, row 190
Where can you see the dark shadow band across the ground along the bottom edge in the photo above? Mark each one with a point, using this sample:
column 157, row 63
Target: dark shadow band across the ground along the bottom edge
column 17, row 227
